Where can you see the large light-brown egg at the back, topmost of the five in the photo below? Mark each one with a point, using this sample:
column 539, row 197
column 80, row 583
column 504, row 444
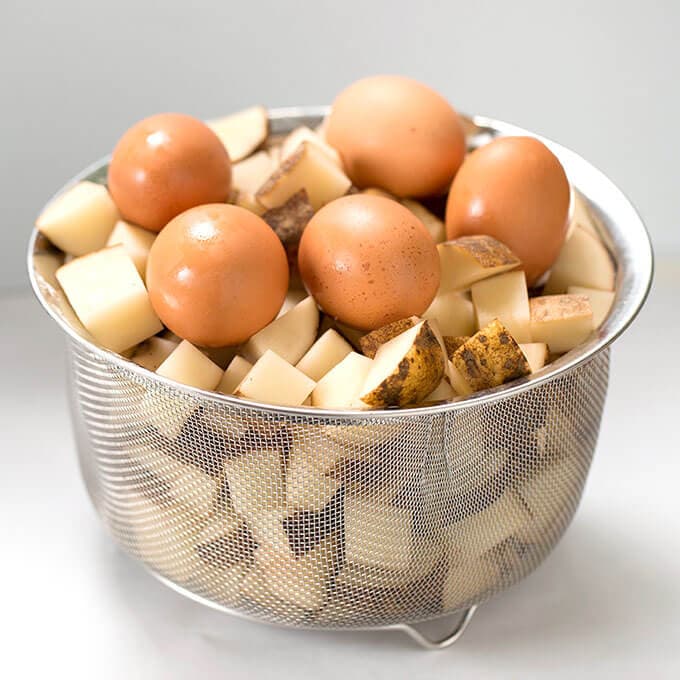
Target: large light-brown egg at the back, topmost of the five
column 396, row 134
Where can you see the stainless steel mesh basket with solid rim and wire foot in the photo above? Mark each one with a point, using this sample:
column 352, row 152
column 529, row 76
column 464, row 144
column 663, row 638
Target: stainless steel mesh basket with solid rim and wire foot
column 333, row 519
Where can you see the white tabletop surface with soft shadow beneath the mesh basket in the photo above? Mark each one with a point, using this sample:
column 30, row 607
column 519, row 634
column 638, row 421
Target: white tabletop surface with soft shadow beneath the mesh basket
column 606, row 603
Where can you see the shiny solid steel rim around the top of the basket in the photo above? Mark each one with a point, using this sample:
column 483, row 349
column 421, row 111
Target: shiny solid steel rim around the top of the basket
column 623, row 232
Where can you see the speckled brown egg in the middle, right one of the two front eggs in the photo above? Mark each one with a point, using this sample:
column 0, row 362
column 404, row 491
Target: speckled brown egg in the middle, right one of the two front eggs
column 368, row 261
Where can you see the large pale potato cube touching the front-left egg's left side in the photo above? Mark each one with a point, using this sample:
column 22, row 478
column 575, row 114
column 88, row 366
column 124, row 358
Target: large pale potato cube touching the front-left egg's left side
column 109, row 297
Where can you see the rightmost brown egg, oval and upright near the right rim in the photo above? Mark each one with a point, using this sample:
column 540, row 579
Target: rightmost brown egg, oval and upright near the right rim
column 514, row 189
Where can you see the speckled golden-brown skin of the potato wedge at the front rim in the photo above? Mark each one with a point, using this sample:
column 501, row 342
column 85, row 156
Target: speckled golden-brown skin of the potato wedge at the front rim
column 418, row 373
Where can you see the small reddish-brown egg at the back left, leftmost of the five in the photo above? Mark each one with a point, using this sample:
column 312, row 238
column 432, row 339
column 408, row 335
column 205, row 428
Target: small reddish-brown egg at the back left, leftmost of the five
column 165, row 165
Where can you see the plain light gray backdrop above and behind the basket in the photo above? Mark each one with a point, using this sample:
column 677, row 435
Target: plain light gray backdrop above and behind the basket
column 598, row 77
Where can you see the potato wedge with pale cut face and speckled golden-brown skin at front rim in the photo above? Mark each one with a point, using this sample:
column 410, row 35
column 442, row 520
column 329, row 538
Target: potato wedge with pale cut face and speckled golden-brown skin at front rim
column 405, row 369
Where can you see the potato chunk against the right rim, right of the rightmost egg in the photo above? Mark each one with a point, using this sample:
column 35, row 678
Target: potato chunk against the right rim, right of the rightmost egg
column 583, row 261
